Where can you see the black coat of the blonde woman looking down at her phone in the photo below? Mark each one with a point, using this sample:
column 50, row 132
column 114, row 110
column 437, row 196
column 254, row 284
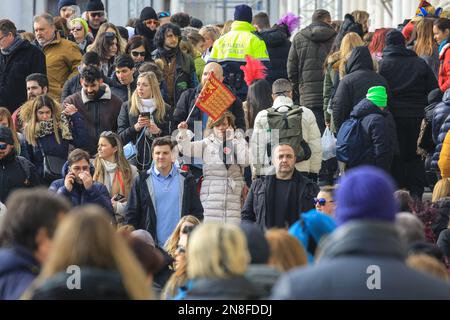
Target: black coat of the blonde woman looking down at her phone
column 126, row 131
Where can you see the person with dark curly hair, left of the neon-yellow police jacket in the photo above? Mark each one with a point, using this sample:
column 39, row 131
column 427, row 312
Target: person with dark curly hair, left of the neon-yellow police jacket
column 178, row 67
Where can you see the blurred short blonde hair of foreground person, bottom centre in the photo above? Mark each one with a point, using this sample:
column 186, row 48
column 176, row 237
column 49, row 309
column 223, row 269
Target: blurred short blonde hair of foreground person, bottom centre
column 217, row 251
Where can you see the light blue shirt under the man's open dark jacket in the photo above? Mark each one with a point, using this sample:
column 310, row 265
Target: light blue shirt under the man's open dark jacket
column 167, row 202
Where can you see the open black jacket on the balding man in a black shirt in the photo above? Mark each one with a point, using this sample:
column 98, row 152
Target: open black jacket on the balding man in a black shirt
column 256, row 207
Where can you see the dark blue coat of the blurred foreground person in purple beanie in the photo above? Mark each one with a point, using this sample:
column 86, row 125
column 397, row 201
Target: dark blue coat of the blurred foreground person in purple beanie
column 343, row 272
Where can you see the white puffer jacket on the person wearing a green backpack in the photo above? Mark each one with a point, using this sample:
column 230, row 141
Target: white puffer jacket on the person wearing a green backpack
column 260, row 136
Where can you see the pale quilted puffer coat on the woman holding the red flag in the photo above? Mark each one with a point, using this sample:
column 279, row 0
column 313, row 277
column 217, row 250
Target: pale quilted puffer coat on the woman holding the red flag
column 221, row 189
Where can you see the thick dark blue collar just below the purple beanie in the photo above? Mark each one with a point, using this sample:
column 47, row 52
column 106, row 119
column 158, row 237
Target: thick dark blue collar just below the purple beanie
column 368, row 238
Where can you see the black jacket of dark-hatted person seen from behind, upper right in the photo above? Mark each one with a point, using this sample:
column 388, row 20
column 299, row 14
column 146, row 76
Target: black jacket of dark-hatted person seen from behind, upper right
column 410, row 81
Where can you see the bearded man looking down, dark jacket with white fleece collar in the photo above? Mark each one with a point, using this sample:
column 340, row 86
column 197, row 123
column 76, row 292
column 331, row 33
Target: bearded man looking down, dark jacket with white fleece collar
column 99, row 107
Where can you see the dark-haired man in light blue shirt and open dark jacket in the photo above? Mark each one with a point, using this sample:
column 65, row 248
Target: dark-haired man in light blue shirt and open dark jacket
column 162, row 195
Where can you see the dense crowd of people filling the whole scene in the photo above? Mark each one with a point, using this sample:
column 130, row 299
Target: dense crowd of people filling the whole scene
column 310, row 185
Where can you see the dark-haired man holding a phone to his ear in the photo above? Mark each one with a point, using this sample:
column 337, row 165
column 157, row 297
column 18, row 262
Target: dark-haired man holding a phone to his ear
column 78, row 186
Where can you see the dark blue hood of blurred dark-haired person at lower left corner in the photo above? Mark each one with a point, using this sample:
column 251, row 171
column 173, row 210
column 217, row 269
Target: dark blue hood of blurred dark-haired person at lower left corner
column 17, row 258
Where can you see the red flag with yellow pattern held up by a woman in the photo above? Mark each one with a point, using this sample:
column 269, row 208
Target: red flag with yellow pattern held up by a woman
column 215, row 98
